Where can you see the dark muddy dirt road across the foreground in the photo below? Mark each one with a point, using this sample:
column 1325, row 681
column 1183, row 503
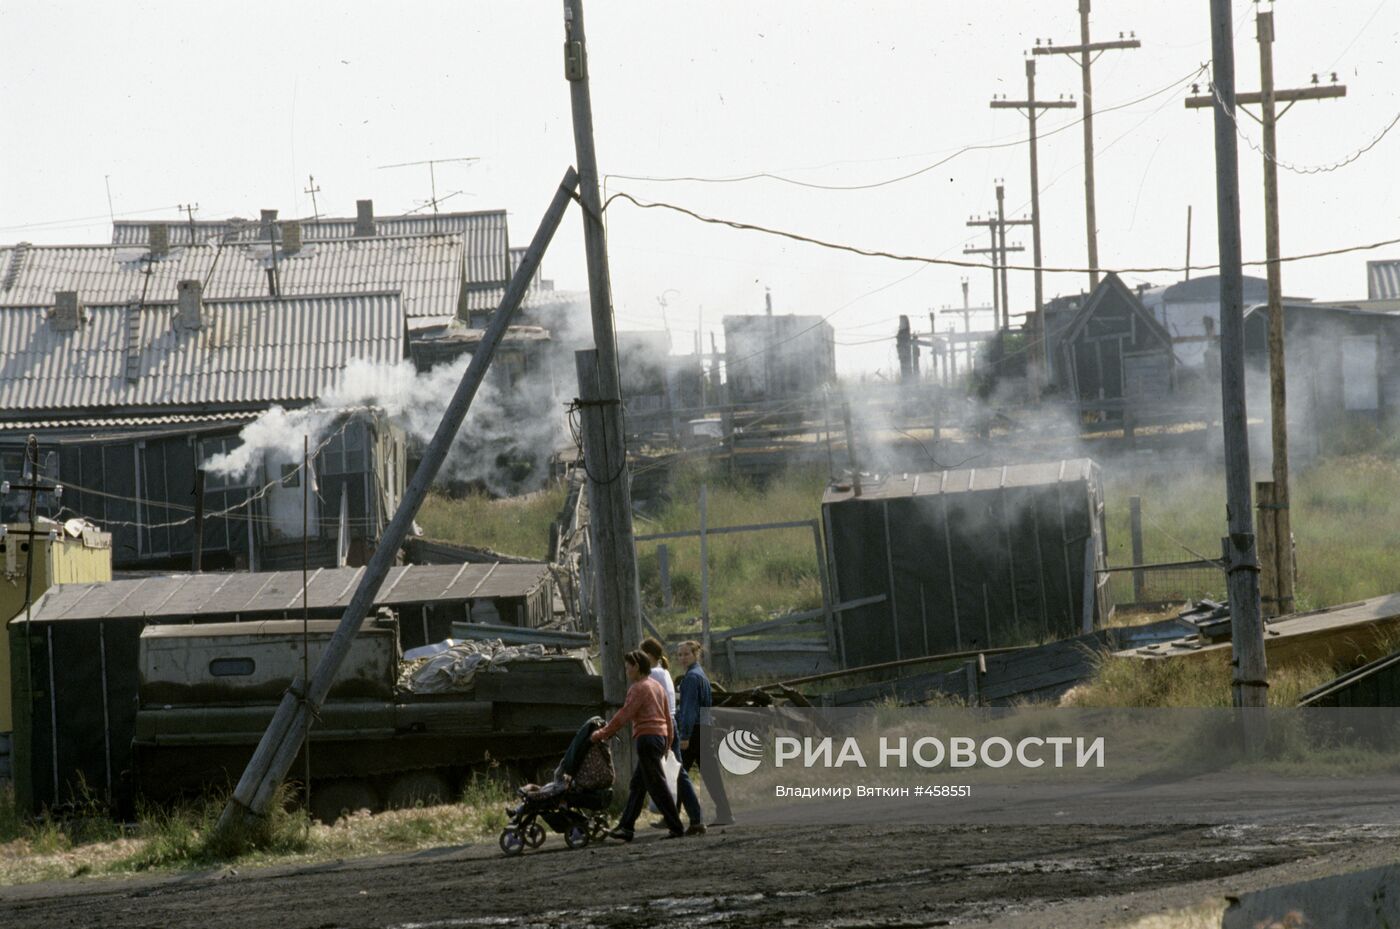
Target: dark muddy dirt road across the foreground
column 737, row 878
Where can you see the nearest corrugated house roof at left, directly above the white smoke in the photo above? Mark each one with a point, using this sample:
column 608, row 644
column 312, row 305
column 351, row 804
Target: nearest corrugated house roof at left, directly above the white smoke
column 250, row 352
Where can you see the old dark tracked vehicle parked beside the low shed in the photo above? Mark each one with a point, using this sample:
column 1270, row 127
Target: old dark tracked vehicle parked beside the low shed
column 209, row 692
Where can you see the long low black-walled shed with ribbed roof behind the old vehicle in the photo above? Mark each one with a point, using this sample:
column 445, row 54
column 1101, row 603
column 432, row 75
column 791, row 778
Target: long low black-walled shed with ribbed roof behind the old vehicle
column 73, row 725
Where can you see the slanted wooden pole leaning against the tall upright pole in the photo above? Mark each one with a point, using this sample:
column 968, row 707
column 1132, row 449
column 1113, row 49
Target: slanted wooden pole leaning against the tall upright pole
column 282, row 742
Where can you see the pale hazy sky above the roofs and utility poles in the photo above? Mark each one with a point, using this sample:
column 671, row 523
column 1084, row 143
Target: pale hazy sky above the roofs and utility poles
column 233, row 107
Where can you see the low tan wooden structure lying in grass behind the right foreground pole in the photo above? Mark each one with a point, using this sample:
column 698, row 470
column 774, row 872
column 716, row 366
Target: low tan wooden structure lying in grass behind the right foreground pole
column 1331, row 636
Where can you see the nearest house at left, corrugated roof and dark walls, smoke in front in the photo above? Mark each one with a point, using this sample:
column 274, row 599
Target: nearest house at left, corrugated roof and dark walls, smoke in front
column 129, row 401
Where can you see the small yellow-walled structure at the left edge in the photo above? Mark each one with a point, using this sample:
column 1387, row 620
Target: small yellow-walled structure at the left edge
column 66, row 560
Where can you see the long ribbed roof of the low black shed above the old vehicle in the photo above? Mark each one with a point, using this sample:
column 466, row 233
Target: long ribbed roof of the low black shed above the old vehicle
column 250, row 595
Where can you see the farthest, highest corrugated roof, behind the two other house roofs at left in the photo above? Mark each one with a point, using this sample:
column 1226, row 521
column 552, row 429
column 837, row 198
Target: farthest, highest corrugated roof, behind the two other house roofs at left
column 484, row 232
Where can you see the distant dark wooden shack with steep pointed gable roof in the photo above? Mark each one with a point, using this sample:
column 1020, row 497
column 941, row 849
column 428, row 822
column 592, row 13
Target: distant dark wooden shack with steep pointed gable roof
column 1115, row 357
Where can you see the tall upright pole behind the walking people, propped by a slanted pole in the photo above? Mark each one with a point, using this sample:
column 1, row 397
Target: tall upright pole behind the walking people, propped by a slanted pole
column 610, row 482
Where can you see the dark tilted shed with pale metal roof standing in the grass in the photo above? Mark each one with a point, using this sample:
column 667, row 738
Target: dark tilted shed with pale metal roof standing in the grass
column 968, row 559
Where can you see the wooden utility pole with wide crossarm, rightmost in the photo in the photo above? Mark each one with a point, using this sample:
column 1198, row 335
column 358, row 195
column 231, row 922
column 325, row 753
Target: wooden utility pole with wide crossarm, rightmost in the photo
column 1280, row 600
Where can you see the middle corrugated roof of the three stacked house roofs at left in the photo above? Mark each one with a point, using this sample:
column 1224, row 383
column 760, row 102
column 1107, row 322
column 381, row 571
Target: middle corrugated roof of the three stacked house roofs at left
column 426, row 269
